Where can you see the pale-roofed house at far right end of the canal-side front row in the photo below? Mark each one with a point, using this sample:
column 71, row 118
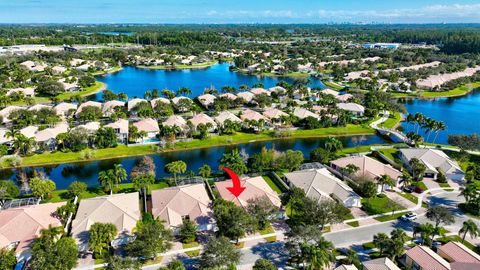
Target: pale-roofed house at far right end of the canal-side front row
column 434, row 160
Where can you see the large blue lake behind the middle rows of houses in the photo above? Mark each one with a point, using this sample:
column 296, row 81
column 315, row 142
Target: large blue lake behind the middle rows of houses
column 135, row 81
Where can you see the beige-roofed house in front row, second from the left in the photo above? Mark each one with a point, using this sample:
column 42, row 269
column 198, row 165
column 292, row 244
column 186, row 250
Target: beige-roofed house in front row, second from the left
column 122, row 210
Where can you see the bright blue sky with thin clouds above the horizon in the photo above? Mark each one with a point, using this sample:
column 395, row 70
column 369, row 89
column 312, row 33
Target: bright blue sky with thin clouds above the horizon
column 239, row 11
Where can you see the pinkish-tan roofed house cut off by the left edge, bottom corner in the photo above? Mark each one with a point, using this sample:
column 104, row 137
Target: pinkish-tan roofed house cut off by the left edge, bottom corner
column 20, row 226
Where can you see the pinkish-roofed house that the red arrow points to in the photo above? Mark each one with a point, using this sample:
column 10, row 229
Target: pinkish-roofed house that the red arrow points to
column 255, row 187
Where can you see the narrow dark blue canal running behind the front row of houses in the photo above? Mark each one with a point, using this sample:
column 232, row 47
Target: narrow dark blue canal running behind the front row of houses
column 64, row 174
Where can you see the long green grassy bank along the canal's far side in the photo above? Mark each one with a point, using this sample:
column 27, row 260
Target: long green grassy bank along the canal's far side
column 125, row 151
